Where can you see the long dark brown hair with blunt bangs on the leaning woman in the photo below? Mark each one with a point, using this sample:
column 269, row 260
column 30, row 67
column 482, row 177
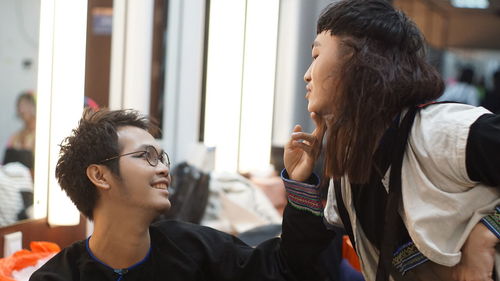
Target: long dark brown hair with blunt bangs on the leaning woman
column 384, row 72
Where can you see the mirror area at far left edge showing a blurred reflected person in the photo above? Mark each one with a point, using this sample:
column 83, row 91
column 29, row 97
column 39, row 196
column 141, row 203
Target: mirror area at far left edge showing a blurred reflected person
column 19, row 24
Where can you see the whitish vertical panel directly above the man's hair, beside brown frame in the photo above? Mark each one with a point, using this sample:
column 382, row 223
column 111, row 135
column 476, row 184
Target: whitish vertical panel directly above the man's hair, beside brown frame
column 131, row 55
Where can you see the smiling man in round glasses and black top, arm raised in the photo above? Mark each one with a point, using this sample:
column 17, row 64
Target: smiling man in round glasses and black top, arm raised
column 117, row 175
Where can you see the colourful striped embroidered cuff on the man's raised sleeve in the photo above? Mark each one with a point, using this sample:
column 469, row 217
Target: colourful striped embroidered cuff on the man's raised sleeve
column 304, row 195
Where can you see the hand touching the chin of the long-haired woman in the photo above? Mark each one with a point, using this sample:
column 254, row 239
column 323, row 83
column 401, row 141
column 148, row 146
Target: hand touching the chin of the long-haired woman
column 302, row 150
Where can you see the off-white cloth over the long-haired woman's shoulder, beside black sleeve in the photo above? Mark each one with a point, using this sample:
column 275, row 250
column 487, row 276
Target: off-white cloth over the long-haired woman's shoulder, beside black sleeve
column 441, row 204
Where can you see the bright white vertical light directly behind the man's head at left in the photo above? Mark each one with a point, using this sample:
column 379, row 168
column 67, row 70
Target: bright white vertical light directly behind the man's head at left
column 63, row 26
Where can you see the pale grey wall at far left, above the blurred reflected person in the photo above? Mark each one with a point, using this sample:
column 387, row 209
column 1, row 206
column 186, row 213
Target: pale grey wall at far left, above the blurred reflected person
column 19, row 23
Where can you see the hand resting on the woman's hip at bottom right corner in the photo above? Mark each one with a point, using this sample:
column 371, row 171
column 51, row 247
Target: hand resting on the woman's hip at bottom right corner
column 478, row 256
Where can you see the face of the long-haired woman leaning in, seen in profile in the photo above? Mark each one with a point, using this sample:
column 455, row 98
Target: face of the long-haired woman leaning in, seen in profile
column 322, row 77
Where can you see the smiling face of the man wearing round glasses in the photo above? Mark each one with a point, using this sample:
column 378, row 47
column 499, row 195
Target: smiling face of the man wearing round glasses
column 141, row 185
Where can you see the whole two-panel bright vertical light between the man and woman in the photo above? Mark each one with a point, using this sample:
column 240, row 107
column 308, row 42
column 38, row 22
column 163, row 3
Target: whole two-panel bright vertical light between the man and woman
column 241, row 69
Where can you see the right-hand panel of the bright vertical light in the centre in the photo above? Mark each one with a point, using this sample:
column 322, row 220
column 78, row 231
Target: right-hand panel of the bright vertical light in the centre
column 258, row 84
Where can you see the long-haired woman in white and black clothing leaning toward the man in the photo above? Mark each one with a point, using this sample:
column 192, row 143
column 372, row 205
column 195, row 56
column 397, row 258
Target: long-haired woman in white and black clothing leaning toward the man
column 415, row 184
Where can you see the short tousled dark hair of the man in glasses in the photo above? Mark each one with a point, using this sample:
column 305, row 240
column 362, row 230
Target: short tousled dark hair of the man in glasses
column 94, row 140
